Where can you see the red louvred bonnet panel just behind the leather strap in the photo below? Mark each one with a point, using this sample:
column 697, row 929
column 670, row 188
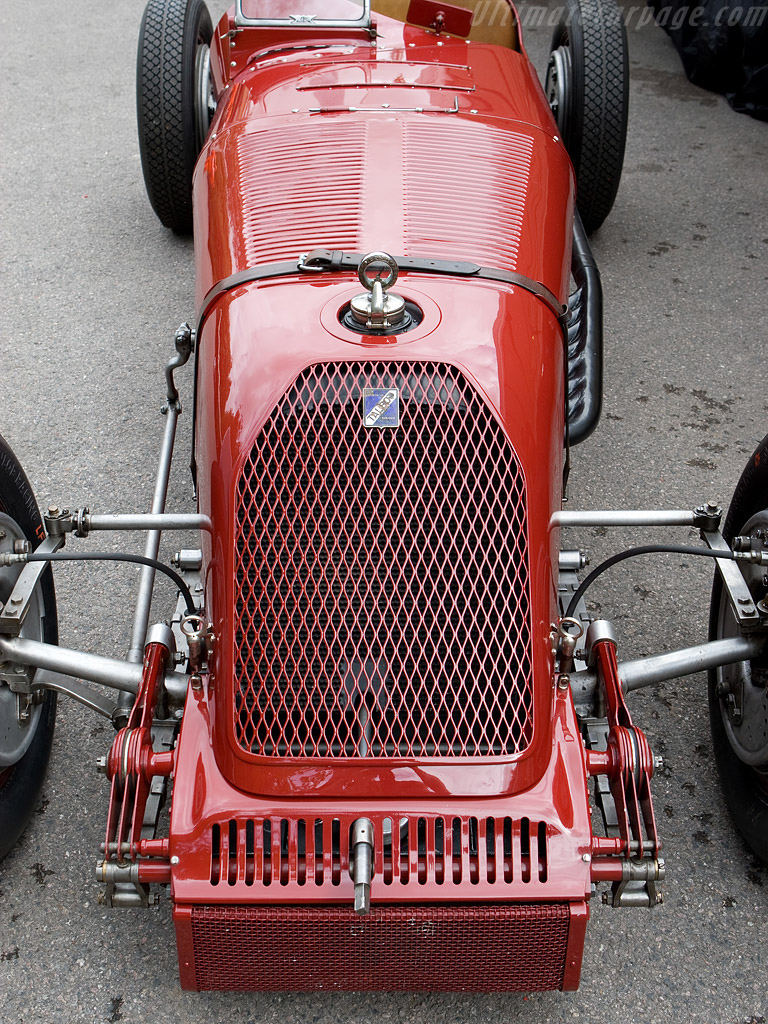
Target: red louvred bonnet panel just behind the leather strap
column 444, row 188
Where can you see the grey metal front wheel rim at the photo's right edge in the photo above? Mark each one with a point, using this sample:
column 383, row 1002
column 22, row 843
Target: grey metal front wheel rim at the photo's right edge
column 743, row 689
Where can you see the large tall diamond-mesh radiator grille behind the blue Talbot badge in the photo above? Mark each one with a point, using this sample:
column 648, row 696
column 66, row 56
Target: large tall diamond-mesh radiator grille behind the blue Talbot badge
column 382, row 575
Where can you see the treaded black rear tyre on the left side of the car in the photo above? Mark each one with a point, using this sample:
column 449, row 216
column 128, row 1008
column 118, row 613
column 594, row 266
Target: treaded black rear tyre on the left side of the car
column 174, row 104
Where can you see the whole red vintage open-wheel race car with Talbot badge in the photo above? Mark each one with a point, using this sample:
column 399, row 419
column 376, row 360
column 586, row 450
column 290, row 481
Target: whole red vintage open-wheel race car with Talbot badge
column 381, row 710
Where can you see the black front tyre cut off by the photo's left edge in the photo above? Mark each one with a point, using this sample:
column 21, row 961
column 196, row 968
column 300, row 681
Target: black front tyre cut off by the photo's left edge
column 22, row 782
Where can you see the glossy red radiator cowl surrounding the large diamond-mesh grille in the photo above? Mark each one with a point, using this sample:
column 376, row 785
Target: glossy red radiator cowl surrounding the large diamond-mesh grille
column 520, row 373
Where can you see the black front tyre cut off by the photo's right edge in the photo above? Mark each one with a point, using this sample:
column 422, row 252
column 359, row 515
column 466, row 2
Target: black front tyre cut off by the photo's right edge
column 739, row 695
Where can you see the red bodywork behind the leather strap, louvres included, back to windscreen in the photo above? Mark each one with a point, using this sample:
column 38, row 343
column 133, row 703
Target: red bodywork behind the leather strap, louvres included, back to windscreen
column 272, row 101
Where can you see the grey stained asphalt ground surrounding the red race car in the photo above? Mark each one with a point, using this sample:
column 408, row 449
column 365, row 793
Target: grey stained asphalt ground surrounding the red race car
column 93, row 290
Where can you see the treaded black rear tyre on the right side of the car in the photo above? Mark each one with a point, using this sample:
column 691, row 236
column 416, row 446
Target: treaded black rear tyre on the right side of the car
column 588, row 83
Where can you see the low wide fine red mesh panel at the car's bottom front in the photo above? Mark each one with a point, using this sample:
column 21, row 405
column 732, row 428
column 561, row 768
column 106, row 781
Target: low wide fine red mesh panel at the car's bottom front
column 473, row 949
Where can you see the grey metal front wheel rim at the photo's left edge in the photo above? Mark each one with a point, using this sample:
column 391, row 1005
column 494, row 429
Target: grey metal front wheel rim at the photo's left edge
column 16, row 738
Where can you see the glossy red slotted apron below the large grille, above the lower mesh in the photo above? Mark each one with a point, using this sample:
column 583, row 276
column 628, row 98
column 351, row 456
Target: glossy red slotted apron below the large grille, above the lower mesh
column 560, row 800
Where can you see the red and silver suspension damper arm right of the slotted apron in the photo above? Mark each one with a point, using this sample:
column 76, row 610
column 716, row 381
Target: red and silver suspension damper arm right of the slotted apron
column 631, row 860
